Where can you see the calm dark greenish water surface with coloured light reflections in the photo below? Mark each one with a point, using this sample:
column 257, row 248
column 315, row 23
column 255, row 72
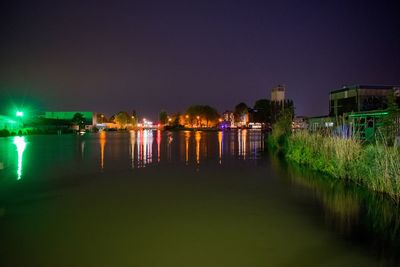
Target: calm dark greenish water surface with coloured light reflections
column 153, row 198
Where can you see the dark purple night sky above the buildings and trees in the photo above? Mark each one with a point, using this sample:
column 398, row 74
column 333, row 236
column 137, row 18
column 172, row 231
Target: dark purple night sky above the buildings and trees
column 108, row 56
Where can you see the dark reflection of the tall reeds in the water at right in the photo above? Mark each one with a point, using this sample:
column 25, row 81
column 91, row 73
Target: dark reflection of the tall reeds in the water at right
column 355, row 213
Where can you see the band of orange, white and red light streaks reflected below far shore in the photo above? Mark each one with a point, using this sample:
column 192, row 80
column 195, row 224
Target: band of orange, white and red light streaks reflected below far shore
column 146, row 147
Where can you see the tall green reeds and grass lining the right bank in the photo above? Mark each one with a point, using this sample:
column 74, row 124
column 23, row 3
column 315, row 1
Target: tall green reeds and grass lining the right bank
column 374, row 166
